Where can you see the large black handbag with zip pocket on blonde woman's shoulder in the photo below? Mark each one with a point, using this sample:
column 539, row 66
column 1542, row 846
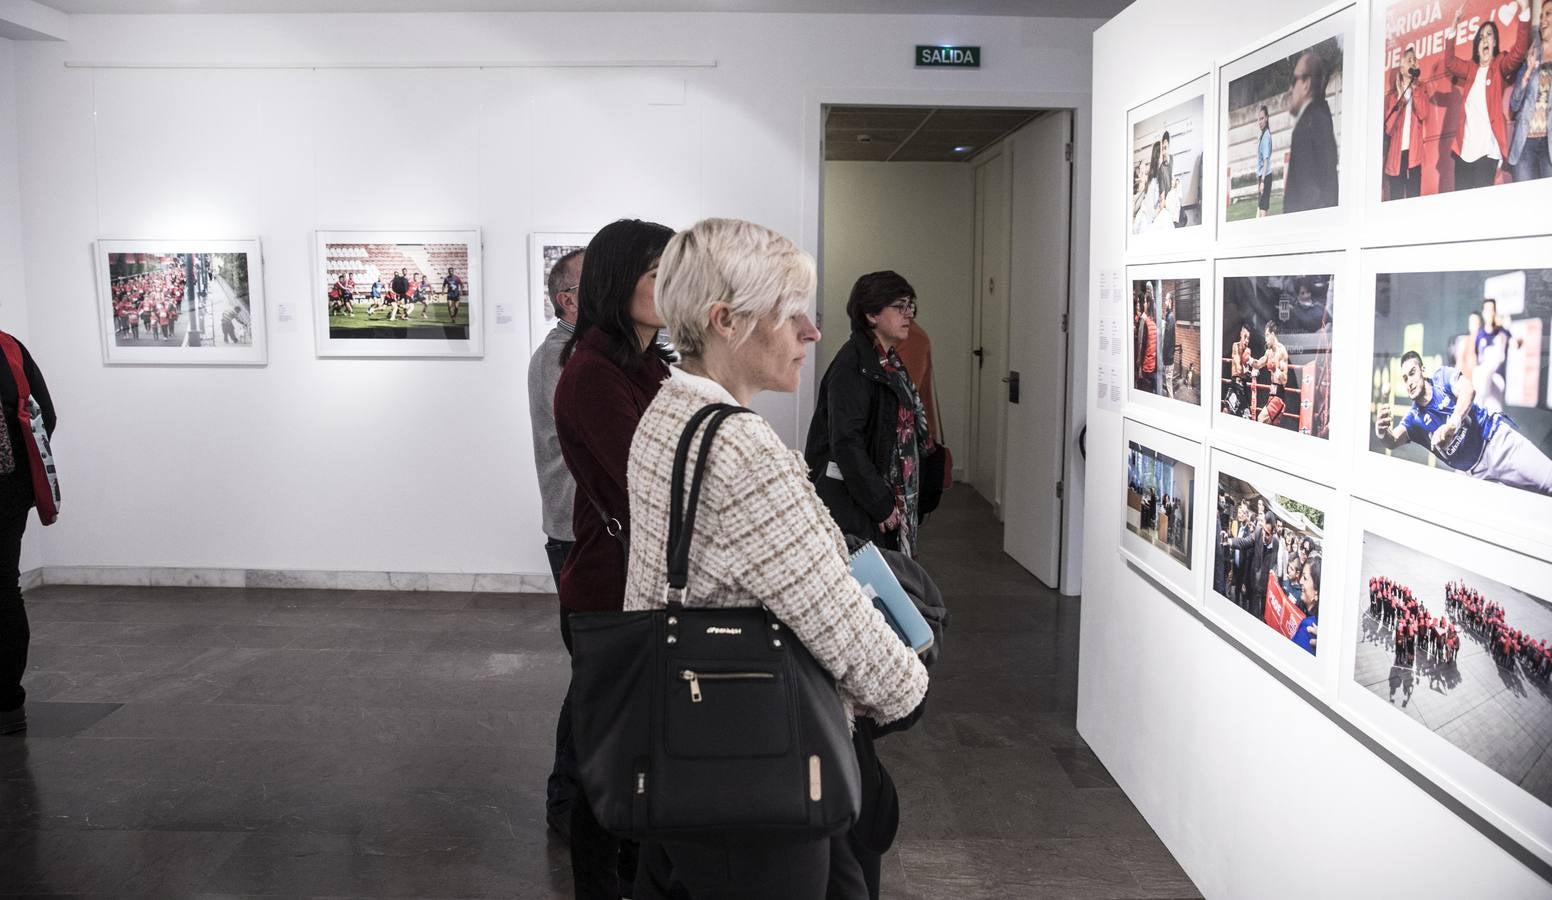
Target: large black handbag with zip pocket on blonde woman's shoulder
column 707, row 724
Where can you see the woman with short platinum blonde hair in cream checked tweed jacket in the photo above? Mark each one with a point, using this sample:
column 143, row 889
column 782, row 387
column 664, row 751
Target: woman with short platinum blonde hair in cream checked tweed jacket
column 735, row 297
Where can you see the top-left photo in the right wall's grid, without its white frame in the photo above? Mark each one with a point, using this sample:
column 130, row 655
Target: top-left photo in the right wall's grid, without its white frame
column 1168, row 167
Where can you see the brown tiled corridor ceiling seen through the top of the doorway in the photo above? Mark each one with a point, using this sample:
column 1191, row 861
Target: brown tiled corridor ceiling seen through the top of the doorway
column 910, row 134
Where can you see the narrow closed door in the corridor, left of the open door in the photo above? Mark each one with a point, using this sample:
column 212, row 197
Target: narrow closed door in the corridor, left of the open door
column 991, row 330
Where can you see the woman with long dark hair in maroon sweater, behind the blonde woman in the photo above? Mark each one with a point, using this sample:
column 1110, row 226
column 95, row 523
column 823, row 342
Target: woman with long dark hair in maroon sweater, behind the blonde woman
column 614, row 367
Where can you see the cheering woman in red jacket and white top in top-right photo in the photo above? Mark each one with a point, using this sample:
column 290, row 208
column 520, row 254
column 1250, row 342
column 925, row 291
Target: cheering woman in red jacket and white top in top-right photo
column 1481, row 144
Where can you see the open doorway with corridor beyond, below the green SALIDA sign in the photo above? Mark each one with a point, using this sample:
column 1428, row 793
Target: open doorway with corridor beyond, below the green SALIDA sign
column 974, row 207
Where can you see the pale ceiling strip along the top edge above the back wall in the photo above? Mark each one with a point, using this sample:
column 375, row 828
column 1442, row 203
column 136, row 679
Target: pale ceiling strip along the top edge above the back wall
column 1041, row 9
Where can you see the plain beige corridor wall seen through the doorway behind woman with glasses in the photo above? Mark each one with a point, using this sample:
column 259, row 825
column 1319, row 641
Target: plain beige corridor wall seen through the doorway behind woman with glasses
column 918, row 220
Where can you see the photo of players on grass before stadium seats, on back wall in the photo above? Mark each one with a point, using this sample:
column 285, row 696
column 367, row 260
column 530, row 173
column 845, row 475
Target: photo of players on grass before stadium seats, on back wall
column 398, row 291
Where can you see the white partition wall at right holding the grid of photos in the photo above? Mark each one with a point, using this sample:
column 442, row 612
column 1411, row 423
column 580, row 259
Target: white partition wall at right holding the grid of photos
column 1255, row 791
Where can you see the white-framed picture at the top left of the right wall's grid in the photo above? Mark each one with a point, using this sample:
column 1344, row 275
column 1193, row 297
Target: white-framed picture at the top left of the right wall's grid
column 1187, row 114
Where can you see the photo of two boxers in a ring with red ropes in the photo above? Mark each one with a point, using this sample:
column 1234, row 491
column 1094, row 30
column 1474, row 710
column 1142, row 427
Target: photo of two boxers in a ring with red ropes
column 1275, row 362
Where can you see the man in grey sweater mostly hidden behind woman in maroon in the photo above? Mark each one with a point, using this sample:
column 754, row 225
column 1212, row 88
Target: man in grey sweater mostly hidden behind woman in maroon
column 558, row 491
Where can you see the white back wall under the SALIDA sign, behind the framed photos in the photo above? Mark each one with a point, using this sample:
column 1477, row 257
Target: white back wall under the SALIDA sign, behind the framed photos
column 272, row 126
